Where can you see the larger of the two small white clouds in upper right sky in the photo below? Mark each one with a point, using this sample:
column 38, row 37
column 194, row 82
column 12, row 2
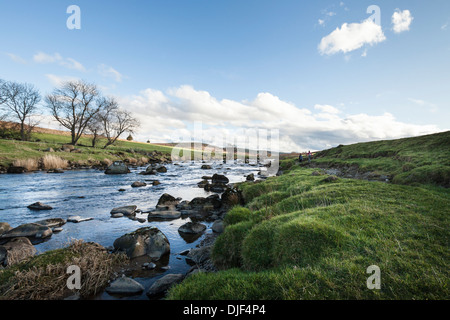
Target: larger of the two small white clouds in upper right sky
column 351, row 37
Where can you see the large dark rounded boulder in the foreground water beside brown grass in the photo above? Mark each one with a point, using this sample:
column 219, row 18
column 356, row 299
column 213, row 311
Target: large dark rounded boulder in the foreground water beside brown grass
column 148, row 241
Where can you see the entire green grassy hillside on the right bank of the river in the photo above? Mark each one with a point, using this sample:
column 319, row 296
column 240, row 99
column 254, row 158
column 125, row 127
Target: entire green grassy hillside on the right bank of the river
column 304, row 235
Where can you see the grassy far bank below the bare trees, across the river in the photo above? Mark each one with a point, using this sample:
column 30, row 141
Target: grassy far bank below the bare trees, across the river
column 15, row 150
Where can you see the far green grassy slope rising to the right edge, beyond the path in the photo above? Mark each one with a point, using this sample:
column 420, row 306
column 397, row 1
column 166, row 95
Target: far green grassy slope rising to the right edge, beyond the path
column 414, row 161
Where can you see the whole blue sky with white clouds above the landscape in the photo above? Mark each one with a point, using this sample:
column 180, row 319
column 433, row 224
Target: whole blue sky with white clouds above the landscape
column 316, row 73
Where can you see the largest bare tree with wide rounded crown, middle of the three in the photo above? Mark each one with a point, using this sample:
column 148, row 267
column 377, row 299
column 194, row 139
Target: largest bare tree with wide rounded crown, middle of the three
column 74, row 105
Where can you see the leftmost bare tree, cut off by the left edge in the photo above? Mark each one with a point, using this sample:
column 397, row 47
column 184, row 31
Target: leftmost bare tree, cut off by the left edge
column 20, row 100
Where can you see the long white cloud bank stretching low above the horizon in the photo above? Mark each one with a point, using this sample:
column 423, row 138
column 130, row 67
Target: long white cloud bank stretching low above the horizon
column 166, row 116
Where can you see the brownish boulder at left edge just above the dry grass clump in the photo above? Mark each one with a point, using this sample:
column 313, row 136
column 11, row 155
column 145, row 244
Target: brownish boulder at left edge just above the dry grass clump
column 16, row 250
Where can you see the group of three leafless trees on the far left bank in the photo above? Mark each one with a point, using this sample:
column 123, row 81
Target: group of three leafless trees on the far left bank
column 76, row 105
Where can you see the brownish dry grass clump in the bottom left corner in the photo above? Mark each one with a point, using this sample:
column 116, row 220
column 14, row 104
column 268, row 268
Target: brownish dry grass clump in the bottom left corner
column 44, row 277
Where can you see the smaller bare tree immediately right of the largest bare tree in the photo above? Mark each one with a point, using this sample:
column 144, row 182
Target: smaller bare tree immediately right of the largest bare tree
column 116, row 121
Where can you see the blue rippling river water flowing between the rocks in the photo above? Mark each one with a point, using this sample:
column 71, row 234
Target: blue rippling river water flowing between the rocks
column 91, row 193
